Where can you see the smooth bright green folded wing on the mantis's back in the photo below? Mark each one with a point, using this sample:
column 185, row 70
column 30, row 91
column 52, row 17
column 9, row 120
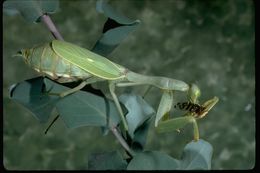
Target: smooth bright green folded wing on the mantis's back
column 87, row 60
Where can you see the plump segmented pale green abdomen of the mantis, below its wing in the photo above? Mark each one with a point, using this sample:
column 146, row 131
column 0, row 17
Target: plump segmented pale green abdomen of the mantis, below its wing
column 44, row 60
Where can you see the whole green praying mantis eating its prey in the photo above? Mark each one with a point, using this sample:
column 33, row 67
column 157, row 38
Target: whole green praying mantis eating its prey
column 66, row 62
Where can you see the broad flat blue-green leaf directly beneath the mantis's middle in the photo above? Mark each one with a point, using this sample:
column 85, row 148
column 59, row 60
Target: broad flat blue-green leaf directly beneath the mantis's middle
column 86, row 109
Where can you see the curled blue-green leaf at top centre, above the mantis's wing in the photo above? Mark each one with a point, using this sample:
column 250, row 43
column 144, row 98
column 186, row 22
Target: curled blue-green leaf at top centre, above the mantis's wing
column 115, row 30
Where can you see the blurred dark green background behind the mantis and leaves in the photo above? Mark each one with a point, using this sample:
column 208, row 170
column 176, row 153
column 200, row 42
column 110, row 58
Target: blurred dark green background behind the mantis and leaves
column 210, row 43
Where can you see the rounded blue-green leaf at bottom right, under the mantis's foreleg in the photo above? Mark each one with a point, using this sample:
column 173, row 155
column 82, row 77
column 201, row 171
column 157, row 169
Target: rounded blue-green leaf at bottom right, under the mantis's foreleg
column 197, row 155
